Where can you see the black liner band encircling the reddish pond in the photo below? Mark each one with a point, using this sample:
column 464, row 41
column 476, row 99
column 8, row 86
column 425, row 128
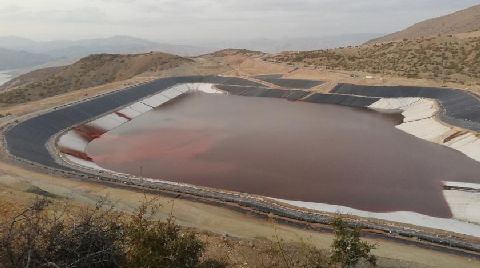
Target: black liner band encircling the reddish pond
column 27, row 141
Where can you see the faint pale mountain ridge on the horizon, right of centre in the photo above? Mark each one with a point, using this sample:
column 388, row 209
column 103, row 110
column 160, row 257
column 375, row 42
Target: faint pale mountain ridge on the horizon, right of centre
column 294, row 44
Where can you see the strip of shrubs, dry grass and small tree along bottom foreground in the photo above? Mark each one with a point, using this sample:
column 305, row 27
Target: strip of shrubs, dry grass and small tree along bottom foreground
column 49, row 233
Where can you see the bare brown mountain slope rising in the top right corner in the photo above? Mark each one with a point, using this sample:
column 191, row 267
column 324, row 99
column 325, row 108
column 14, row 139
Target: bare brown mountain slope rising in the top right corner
column 467, row 20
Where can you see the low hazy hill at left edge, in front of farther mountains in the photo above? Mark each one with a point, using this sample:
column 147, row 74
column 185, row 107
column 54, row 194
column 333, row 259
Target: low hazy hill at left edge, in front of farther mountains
column 14, row 59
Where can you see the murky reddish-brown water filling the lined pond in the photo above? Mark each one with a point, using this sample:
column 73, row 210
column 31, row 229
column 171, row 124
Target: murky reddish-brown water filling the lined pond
column 290, row 150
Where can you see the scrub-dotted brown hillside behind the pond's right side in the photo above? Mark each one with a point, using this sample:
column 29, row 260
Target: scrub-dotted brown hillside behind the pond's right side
column 447, row 59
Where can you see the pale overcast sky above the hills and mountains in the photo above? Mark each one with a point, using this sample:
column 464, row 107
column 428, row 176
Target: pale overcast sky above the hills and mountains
column 188, row 20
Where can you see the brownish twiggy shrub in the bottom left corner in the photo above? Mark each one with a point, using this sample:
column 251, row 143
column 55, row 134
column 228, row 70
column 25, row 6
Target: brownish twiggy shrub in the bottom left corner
column 39, row 238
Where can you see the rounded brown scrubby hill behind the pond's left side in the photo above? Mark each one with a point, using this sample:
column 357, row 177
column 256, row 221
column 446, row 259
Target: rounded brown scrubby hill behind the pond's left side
column 88, row 72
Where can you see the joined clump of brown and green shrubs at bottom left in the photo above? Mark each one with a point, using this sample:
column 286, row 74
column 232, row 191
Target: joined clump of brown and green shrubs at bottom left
column 99, row 237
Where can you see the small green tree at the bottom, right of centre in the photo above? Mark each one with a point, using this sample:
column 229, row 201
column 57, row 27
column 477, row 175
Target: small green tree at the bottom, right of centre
column 347, row 248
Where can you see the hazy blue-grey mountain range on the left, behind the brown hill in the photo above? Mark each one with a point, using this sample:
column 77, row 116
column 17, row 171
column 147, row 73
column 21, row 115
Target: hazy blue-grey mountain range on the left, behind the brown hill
column 26, row 55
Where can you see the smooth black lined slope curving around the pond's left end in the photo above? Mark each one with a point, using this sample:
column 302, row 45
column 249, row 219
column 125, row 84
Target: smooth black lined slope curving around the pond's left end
column 27, row 140
